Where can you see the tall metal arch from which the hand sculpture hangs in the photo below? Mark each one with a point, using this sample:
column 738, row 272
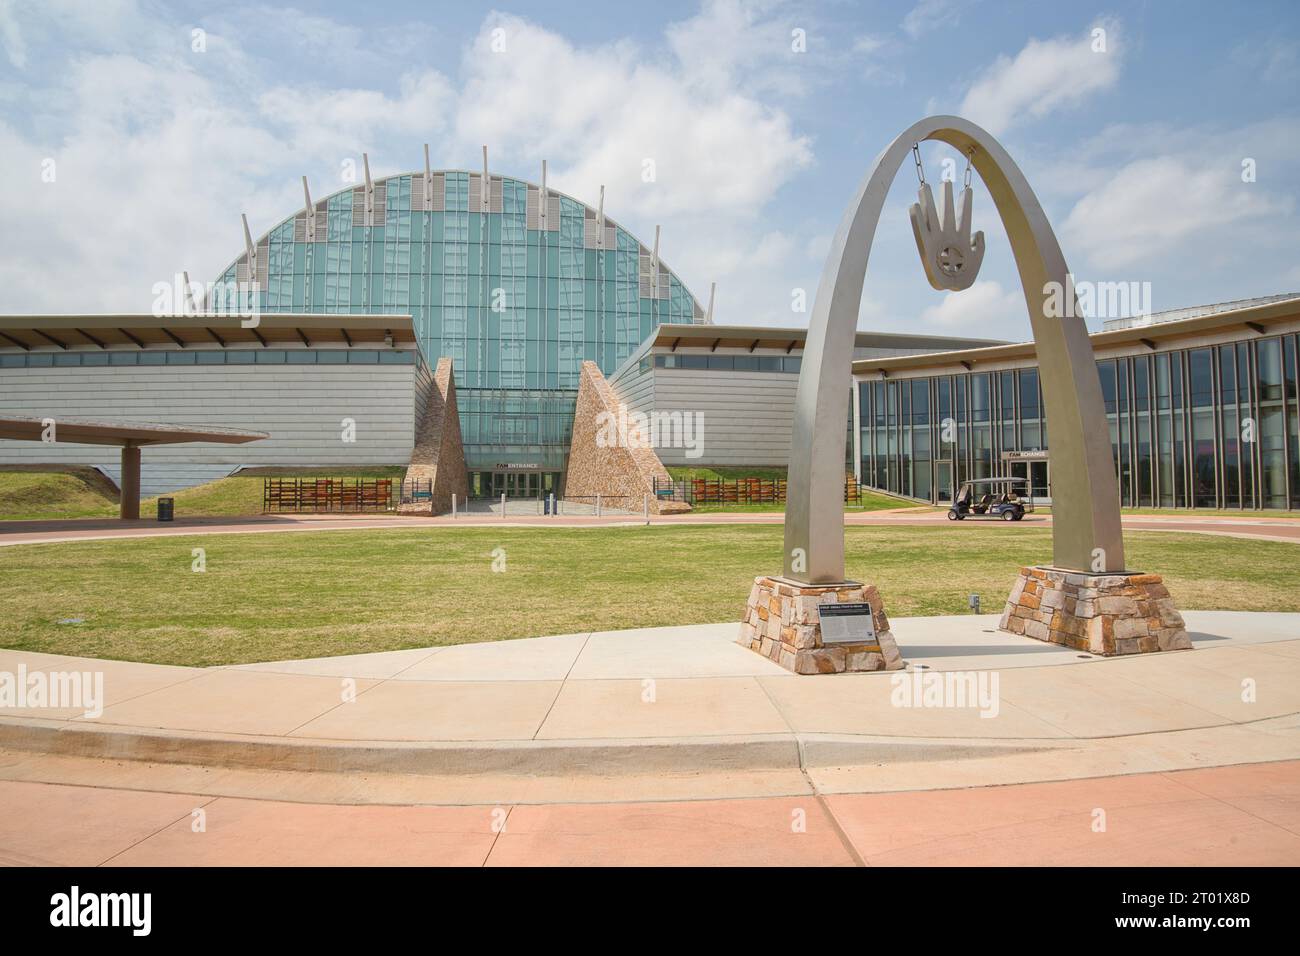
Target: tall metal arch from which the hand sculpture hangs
column 1086, row 533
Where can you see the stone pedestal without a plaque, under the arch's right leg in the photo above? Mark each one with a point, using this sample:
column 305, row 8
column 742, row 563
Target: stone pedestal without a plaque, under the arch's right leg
column 1106, row 615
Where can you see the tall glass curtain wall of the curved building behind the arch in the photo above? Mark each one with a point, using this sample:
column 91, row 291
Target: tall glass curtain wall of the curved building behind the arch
column 1212, row 429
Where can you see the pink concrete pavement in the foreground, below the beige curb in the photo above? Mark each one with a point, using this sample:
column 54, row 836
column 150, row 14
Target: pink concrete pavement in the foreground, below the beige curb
column 1237, row 816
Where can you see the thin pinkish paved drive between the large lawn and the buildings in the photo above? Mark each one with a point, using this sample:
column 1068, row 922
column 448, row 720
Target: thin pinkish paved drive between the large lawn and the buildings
column 98, row 529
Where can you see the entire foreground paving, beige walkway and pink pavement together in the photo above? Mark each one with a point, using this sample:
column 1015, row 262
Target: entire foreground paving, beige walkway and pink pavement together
column 584, row 745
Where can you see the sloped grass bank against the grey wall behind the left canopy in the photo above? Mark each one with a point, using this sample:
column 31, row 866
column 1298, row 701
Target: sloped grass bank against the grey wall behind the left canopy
column 47, row 495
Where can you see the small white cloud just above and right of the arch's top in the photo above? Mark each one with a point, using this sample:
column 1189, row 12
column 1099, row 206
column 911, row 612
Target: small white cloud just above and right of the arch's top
column 1043, row 77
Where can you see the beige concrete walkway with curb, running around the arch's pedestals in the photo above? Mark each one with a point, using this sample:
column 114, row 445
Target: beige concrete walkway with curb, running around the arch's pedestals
column 500, row 720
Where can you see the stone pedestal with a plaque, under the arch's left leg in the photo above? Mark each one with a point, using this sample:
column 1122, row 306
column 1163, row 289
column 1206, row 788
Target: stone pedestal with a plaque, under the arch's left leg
column 783, row 624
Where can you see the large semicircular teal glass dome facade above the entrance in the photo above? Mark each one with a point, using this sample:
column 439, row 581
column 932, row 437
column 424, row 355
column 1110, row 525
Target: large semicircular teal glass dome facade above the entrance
column 518, row 297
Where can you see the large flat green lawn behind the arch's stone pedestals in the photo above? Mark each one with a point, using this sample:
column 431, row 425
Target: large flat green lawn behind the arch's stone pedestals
column 315, row 594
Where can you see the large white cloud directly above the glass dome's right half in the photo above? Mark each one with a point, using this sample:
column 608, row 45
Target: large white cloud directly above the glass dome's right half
column 601, row 115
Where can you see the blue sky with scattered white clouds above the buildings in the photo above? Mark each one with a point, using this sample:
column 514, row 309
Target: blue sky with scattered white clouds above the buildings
column 1160, row 137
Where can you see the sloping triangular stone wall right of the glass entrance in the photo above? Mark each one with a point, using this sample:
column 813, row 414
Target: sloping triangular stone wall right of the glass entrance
column 621, row 471
